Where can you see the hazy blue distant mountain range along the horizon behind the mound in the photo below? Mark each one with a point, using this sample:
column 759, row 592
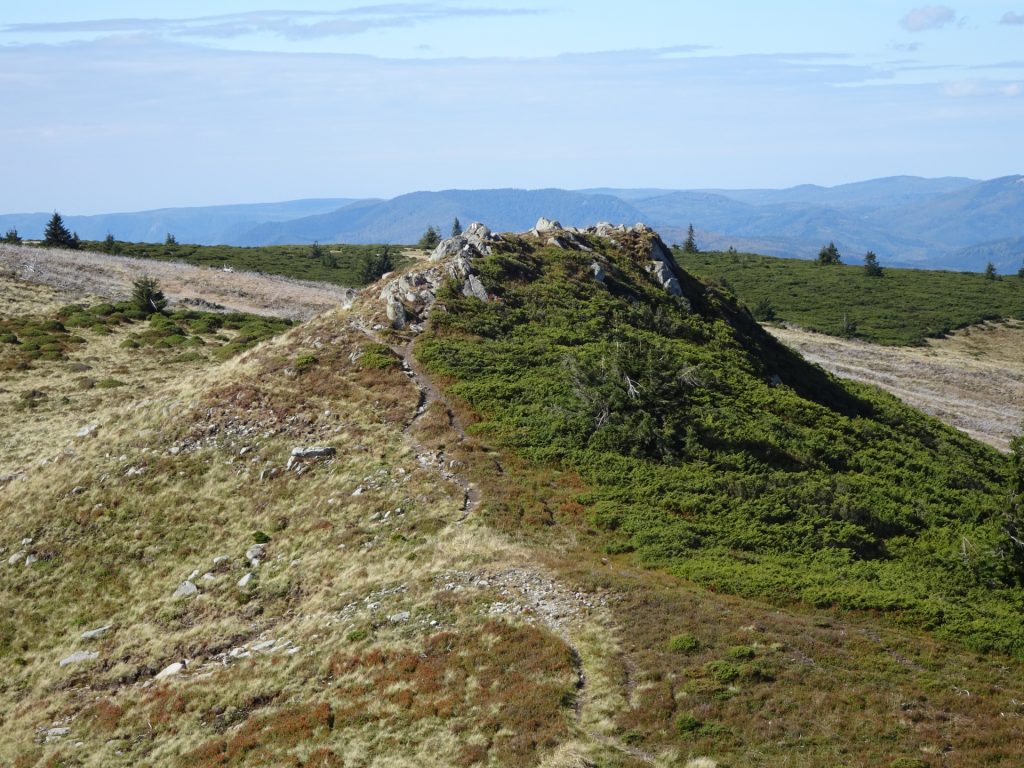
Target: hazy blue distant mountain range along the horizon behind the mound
column 955, row 224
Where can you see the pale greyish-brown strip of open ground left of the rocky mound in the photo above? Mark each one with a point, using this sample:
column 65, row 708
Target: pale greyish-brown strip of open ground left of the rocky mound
column 77, row 275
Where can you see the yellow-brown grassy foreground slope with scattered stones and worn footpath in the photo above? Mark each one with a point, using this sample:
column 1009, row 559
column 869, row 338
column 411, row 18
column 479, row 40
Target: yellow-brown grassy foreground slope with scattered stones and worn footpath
column 506, row 608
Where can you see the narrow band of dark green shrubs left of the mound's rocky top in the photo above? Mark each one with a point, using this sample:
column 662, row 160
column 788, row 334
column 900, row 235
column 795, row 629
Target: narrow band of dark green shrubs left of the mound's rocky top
column 340, row 265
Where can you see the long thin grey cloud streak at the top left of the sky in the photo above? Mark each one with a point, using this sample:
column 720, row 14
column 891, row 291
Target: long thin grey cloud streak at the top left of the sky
column 292, row 25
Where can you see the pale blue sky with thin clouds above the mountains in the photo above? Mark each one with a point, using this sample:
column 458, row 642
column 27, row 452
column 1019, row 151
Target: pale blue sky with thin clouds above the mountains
column 117, row 106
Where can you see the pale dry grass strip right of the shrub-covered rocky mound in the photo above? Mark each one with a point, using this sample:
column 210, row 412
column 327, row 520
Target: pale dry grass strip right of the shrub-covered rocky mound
column 973, row 380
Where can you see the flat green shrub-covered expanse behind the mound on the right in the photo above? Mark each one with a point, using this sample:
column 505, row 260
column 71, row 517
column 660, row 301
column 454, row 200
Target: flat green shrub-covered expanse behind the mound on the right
column 904, row 307
